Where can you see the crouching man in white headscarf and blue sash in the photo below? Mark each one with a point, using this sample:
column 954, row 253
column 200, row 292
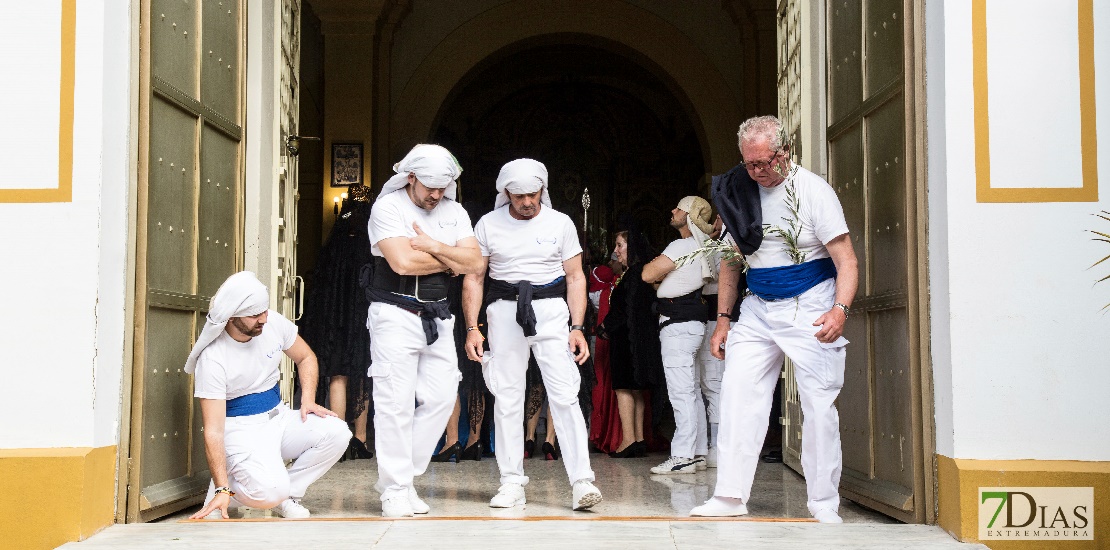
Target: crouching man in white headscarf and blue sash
column 249, row 434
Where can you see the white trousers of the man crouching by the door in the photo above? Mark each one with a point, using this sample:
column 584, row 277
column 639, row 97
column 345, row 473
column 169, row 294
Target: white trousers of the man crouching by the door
column 258, row 447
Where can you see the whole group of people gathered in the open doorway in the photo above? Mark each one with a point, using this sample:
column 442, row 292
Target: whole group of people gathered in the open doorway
column 500, row 319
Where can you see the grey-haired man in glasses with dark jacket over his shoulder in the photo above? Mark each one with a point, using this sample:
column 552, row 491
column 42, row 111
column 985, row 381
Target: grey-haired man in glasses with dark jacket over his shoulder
column 803, row 275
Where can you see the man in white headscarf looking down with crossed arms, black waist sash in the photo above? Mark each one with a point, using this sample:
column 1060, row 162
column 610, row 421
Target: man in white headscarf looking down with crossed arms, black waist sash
column 420, row 236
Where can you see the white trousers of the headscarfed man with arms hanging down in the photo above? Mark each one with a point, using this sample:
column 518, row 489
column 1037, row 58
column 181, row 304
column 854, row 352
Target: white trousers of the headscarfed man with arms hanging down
column 506, row 375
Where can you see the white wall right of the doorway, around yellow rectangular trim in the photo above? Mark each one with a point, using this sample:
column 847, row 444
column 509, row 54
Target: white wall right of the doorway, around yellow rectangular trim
column 1021, row 349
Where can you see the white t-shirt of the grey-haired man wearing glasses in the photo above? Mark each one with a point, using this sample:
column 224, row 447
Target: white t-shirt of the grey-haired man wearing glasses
column 821, row 215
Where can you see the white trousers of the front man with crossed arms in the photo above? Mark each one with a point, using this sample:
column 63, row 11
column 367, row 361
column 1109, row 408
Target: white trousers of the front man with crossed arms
column 407, row 371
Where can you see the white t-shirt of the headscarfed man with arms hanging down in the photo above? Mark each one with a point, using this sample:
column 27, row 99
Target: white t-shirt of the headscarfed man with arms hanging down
column 528, row 251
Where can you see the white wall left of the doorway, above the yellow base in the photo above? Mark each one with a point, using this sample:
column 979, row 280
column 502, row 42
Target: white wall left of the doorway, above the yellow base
column 65, row 265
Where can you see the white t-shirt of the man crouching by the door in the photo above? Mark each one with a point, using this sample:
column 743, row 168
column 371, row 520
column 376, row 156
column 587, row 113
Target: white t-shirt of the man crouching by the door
column 228, row 369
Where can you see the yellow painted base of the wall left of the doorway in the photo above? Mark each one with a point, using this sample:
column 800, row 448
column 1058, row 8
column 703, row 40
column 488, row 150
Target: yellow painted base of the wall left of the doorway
column 51, row 497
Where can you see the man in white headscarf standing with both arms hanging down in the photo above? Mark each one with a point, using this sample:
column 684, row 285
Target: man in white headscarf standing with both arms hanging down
column 537, row 302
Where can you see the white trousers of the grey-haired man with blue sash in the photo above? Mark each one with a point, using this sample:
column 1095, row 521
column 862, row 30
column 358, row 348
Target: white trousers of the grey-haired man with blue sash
column 754, row 356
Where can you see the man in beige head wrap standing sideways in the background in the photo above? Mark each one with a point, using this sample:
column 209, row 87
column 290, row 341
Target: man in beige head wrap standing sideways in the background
column 682, row 328
